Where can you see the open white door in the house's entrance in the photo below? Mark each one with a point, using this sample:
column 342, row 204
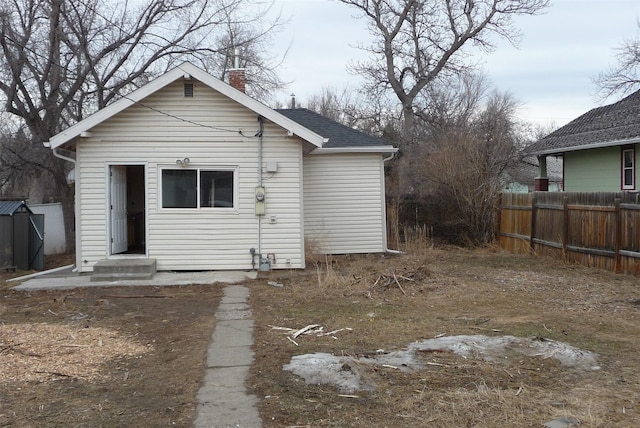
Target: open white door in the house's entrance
column 118, row 208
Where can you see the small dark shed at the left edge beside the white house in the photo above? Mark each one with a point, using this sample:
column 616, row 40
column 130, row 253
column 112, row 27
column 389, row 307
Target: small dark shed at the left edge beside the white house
column 21, row 237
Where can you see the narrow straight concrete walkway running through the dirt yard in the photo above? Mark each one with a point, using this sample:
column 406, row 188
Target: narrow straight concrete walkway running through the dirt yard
column 223, row 400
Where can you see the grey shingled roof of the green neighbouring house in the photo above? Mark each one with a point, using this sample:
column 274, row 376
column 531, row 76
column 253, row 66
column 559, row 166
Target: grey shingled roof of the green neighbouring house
column 611, row 125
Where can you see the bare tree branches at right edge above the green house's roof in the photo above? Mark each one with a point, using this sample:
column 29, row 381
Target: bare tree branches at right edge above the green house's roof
column 625, row 76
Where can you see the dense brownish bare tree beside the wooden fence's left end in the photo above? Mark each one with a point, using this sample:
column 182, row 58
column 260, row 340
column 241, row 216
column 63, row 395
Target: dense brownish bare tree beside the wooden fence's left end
column 469, row 166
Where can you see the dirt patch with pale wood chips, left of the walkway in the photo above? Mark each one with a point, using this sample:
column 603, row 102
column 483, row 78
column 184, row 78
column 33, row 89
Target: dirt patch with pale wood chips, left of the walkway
column 104, row 357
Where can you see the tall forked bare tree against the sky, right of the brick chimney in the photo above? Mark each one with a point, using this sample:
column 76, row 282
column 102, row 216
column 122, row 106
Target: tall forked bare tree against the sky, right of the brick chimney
column 420, row 40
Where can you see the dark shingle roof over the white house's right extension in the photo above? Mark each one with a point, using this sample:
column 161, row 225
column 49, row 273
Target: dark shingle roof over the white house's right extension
column 340, row 136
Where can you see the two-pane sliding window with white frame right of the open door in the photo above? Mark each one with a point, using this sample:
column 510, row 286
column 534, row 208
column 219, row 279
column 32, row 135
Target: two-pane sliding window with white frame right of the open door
column 198, row 188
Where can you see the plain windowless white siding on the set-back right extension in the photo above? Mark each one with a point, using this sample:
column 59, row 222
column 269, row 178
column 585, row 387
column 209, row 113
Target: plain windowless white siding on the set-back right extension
column 344, row 202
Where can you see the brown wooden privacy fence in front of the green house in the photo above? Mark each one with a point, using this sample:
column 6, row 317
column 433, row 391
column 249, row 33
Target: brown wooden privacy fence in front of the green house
column 593, row 229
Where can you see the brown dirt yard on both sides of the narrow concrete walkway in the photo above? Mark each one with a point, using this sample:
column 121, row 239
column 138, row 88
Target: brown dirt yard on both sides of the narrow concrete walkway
column 134, row 356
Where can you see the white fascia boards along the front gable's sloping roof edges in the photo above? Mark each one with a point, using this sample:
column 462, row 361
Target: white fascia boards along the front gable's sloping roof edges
column 185, row 70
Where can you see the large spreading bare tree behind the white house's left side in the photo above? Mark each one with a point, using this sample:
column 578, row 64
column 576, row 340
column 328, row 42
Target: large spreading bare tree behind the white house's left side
column 63, row 59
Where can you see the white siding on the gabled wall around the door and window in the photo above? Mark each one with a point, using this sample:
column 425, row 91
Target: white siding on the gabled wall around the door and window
column 182, row 239
